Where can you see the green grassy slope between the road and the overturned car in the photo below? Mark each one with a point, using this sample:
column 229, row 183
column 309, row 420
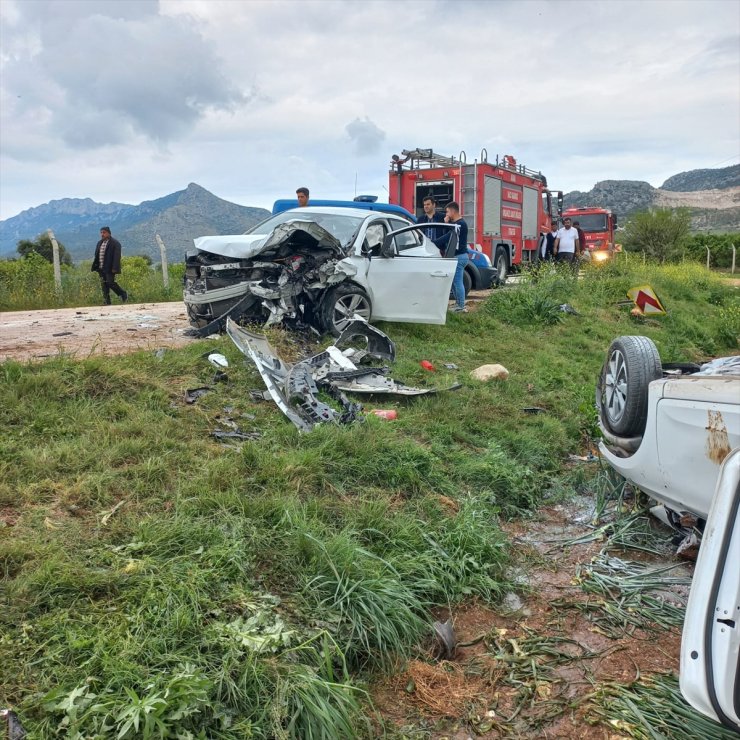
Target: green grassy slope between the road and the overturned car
column 157, row 583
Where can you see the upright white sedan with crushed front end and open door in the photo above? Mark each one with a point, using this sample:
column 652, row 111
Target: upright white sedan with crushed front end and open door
column 319, row 266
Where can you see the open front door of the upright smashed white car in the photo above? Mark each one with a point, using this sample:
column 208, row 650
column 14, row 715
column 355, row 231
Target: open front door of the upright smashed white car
column 409, row 281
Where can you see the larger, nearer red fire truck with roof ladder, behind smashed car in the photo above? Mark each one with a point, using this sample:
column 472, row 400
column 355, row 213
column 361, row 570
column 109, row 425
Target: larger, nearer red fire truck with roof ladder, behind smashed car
column 505, row 204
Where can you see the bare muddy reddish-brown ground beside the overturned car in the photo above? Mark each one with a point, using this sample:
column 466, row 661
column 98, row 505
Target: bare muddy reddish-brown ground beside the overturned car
column 537, row 661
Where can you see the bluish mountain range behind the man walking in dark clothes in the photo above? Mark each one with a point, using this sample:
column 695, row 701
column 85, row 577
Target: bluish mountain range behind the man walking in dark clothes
column 178, row 218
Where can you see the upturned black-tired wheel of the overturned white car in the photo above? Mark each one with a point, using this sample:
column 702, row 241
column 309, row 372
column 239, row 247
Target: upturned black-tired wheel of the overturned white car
column 632, row 363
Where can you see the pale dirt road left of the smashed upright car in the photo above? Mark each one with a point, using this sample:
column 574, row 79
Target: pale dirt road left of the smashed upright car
column 109, row 330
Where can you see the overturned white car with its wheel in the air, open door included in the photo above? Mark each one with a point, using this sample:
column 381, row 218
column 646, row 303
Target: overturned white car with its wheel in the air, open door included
column 674, row 431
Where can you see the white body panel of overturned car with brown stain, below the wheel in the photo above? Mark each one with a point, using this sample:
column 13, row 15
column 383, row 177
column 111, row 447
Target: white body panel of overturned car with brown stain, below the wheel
column 693, row 422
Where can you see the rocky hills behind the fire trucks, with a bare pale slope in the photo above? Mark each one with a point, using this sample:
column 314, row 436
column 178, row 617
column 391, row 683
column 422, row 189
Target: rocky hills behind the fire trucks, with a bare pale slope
column 713, row 197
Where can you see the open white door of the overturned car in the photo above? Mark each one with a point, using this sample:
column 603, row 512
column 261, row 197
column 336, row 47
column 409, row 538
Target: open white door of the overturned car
column 710, row 645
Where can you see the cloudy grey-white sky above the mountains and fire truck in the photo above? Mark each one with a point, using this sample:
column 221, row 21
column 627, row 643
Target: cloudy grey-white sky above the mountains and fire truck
column 129, row 100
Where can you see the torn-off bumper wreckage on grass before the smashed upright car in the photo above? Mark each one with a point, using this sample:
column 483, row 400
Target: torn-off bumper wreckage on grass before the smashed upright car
column 295, row 388
